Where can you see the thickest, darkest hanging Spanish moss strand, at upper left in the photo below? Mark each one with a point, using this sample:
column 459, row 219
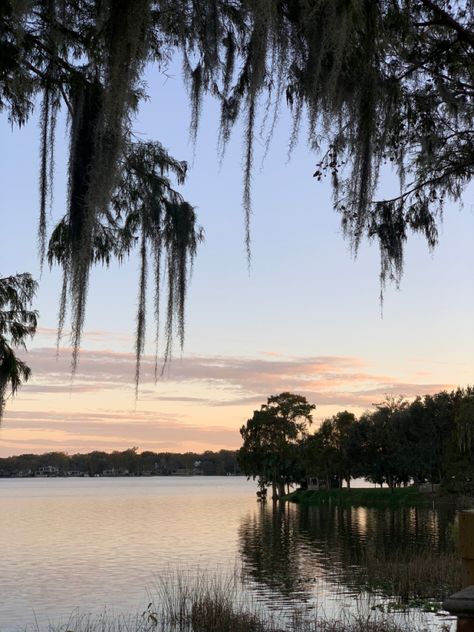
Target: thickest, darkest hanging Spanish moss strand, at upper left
column 99, row 124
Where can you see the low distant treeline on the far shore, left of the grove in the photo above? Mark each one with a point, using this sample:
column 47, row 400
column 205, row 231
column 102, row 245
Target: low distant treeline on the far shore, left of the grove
column 127, row 463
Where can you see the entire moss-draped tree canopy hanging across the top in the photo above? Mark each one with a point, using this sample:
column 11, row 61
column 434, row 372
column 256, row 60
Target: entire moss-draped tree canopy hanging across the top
column 386, row 82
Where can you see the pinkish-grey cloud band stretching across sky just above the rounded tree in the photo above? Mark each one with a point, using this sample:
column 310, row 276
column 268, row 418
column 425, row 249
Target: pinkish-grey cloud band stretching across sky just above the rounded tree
column 227, row 381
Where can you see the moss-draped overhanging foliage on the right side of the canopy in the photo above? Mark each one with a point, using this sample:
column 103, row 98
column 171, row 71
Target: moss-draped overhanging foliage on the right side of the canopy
column 381, row 82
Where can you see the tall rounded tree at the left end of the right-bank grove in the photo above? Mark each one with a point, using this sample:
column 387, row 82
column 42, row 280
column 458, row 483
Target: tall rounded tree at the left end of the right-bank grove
column 270, row 440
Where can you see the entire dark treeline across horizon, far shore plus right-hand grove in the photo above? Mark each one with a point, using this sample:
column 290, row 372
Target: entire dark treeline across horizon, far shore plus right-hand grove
column 427, row 441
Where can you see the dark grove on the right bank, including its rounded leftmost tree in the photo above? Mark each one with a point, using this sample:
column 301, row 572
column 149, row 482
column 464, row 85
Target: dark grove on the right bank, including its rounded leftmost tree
column 429, row 441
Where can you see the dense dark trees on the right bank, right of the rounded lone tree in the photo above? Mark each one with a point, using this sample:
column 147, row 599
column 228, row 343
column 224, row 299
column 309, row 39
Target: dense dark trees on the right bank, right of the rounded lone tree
column 426, row 441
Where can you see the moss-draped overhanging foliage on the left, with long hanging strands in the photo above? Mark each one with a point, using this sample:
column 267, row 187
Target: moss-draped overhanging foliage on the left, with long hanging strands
column 89, row 57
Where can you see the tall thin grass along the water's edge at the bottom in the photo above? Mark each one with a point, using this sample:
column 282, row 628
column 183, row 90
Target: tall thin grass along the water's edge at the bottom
column 212, row 603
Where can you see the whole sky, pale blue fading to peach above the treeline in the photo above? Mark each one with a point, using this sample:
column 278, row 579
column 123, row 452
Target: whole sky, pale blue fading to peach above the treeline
column 304, row 318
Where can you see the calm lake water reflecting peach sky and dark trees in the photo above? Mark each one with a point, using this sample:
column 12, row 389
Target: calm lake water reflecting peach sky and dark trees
column 70, row 545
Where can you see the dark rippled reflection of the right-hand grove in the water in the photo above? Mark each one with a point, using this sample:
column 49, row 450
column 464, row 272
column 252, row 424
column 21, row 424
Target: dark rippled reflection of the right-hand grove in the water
column 288, row 548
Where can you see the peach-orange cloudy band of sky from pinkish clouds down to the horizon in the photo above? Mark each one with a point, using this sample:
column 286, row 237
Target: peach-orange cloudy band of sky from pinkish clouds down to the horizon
column 199, row 402
